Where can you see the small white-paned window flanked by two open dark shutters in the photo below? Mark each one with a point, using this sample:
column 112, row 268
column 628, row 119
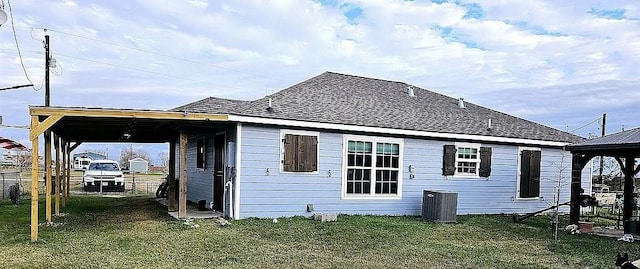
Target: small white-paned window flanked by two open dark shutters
column 466, row 160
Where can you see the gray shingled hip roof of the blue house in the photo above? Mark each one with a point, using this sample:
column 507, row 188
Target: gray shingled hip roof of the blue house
column 353, row 100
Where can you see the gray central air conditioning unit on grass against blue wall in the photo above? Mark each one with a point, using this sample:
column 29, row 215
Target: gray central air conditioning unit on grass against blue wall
column 439, row 206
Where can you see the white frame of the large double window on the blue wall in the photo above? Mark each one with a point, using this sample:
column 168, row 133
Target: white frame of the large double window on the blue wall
column 374, row 140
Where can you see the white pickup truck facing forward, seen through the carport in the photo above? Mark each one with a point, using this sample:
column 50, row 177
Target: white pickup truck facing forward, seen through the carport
column 103, row 175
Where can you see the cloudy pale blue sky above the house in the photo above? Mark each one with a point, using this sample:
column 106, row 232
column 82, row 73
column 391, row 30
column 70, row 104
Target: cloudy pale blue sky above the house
column 559, row 63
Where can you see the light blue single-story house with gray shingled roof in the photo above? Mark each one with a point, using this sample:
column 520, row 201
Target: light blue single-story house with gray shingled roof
column 340, row 143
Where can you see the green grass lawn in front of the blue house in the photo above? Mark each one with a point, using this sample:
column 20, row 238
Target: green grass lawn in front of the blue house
column 135, row 231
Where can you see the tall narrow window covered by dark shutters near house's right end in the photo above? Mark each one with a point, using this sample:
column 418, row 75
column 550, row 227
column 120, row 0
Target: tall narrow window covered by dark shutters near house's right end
column 529, row 180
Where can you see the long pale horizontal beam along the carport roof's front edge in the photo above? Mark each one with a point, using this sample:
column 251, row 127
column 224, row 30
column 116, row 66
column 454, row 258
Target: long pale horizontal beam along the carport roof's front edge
column 125, row 113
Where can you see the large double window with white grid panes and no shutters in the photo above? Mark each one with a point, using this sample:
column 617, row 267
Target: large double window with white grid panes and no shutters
column 372, row 167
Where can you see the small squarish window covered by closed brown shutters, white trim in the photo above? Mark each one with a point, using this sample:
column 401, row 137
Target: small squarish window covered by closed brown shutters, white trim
column 299, row 151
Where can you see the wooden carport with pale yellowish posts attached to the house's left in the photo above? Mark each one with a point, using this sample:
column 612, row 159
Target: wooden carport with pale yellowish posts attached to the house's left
column 71, row 126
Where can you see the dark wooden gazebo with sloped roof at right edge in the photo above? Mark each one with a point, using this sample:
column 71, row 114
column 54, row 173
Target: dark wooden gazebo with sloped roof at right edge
column 625, row 148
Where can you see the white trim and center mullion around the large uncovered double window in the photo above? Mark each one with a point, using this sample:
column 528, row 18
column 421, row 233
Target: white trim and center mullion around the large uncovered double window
column 372, row 195
